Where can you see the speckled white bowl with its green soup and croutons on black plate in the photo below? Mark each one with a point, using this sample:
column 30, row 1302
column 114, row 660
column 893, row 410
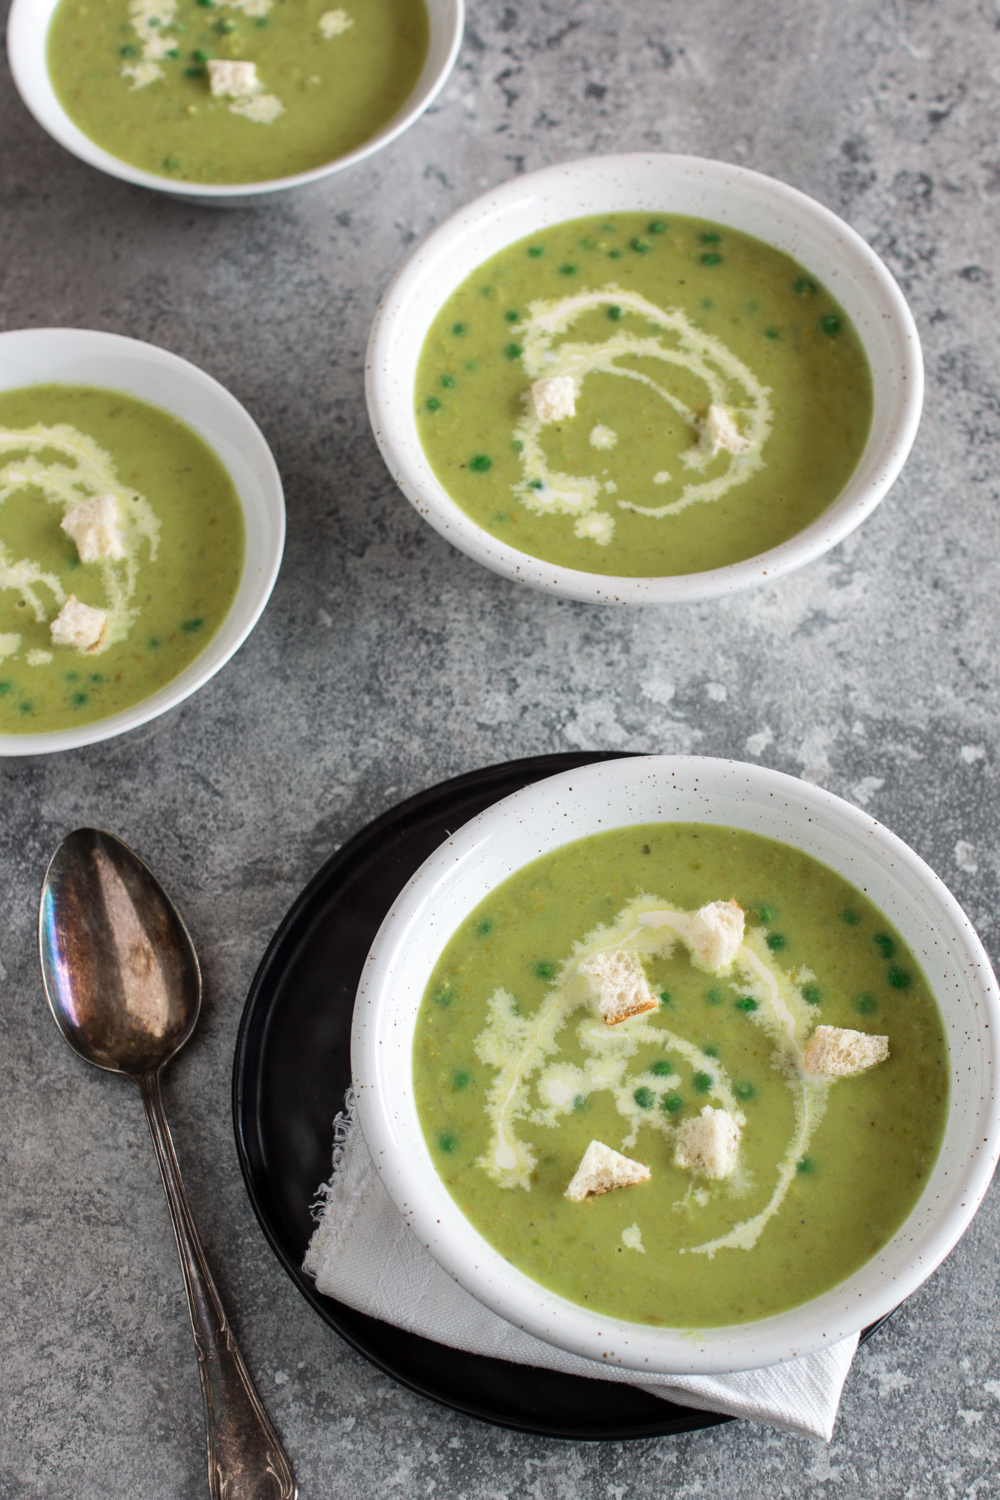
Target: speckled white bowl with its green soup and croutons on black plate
column 681, row 1064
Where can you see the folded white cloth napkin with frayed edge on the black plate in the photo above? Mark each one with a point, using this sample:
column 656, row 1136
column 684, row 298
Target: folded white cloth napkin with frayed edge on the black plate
column 365, row 1255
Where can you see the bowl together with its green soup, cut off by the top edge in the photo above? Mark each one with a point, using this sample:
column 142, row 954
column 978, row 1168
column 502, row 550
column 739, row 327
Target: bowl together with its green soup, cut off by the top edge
column 230, row 103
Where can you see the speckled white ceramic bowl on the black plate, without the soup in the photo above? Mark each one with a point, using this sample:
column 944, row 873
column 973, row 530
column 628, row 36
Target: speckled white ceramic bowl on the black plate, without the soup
column 482, row 854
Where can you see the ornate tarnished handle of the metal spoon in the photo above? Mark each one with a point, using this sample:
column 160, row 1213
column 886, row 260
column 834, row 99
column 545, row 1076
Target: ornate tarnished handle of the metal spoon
column 247, row 1460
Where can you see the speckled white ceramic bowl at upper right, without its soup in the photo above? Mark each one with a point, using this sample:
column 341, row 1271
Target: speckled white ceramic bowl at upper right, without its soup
column 687, row 185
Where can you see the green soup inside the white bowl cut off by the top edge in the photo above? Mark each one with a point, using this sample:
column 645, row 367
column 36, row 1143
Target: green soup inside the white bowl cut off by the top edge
column 313, row 82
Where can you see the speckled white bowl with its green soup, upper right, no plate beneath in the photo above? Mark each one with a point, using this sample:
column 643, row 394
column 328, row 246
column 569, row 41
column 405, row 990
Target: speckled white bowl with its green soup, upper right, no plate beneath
column 644, row 380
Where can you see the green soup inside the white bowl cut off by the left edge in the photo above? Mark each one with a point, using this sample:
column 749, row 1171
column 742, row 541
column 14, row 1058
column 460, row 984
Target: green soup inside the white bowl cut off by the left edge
column 170, row 548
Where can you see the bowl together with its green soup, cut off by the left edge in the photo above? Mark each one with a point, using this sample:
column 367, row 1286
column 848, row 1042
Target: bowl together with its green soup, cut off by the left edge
column 142, row 530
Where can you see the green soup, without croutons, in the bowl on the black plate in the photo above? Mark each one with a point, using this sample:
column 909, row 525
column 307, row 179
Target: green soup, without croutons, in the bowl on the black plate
column 516, row 1072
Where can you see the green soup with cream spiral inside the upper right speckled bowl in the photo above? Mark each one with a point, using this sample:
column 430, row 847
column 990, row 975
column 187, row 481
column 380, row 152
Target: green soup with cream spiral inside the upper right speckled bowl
column 722, row 397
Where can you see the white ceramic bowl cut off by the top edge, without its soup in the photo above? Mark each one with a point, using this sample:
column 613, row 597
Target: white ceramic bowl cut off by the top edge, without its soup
column 28, row 34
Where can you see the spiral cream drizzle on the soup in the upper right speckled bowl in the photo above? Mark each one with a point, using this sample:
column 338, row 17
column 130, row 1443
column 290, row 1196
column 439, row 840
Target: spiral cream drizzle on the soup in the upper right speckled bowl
column 677, row 343
